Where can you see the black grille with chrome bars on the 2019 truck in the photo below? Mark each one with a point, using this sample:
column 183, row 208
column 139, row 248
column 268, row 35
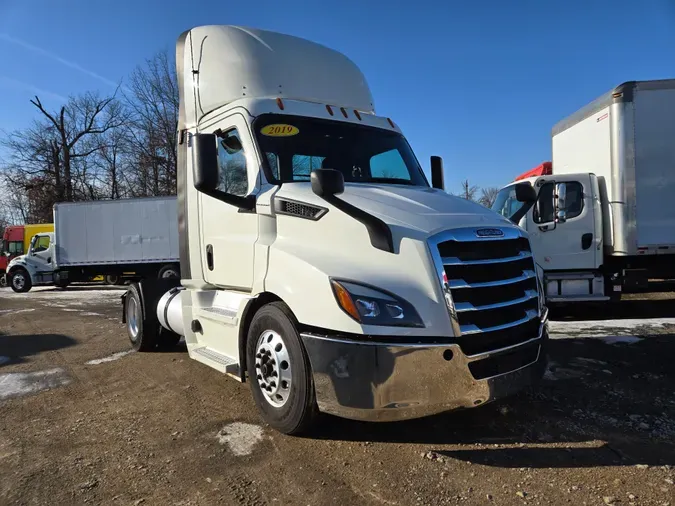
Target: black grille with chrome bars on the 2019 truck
column 493, row 287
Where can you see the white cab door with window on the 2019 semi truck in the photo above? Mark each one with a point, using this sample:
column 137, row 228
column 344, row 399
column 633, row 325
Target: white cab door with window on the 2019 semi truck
column 228, row 233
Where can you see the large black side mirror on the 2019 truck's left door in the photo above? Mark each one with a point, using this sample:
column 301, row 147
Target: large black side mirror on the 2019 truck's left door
column 206, row 171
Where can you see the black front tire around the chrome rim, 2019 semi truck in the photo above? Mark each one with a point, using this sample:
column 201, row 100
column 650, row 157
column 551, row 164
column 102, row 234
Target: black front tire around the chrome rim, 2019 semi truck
column 300, row 410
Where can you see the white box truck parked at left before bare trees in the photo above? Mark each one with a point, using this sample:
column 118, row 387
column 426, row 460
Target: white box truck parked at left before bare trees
column 137, row 237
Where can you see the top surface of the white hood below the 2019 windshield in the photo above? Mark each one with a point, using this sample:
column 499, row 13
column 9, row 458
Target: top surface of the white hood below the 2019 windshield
column 426, row 210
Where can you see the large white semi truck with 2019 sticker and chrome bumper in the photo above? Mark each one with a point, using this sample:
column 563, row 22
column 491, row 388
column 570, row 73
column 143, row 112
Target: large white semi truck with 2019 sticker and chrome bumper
column 316, row 260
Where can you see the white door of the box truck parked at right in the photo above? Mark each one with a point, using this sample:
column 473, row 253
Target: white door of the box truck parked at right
column 573, row 242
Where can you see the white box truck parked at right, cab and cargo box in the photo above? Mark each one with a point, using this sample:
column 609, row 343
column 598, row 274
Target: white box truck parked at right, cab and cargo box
column 604, row 220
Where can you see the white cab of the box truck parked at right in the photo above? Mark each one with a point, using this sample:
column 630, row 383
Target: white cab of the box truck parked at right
column 565, row 228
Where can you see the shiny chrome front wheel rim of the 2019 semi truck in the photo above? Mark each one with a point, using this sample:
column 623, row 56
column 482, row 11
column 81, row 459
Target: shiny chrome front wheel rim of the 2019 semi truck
column 273, row 368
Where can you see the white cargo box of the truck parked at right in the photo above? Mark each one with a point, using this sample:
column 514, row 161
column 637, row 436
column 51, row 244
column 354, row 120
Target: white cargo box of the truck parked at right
column 626, row 138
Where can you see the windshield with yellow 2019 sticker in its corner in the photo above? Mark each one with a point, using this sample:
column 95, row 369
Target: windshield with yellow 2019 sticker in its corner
column 294, row 146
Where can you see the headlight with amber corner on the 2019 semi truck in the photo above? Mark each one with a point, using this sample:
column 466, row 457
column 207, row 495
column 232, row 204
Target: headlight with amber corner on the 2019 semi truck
column 371, row 306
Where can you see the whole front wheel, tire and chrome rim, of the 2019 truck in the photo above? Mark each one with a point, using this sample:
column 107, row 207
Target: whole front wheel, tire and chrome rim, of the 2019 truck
column 279, row 371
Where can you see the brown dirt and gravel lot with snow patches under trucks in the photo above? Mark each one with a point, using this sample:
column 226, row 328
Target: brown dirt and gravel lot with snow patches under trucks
column 83, row 421
